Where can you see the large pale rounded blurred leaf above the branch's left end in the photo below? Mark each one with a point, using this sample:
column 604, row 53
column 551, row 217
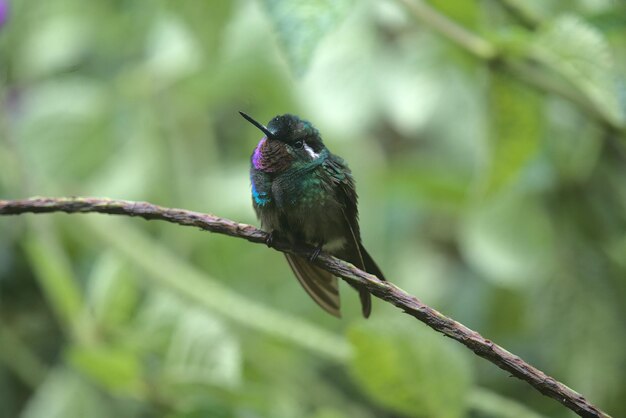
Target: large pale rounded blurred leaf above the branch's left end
column 63, row 119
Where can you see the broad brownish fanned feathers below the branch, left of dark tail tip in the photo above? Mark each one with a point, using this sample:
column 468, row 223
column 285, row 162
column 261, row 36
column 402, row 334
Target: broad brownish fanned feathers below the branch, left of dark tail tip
column 321, row 285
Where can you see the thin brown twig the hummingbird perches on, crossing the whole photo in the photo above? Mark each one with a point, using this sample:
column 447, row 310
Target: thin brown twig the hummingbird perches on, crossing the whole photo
column 383, row 290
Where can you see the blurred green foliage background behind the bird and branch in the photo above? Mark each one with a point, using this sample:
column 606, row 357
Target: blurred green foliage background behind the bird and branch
column 488, row 143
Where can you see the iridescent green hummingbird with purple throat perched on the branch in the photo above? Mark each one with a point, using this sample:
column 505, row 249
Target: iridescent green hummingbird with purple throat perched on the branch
column 304, row 194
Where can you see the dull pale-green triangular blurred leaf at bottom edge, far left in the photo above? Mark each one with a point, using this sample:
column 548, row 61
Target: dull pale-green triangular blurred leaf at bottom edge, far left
column 65, row 395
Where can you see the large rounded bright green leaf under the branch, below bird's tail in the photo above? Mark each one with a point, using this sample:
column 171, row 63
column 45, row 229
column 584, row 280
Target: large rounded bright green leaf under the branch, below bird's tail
column 410, row 370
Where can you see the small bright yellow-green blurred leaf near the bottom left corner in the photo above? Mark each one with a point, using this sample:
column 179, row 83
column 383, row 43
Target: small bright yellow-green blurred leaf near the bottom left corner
column 116, row 369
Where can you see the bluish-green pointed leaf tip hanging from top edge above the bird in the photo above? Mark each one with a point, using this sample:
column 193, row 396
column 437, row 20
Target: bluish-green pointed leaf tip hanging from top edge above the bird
column 301, row 25
